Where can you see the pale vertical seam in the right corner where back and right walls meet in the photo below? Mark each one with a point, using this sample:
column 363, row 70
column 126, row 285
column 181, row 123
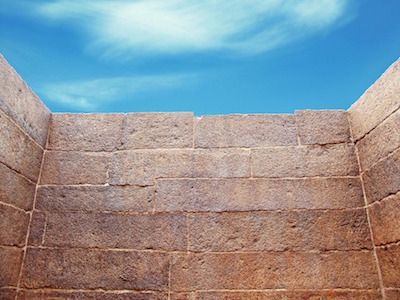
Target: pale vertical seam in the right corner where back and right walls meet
column 367, row 212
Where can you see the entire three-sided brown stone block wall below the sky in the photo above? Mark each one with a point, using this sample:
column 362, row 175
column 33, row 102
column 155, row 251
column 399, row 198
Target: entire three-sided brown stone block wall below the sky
column 171, row 206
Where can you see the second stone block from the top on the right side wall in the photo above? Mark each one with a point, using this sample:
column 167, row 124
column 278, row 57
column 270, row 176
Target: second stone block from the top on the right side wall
column 380, row 142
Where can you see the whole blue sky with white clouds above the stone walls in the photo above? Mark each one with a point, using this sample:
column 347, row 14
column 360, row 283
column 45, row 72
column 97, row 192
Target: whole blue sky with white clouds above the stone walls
column 209, row 56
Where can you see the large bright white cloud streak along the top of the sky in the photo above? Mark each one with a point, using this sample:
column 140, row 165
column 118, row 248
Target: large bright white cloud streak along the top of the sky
column 122, row 28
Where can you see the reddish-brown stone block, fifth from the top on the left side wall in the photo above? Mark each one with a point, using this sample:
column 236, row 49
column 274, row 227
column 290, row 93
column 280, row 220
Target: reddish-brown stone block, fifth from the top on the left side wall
column 10, row 262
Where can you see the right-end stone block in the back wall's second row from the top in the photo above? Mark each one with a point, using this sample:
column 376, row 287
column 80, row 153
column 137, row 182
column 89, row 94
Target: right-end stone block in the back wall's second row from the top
column 305, row 161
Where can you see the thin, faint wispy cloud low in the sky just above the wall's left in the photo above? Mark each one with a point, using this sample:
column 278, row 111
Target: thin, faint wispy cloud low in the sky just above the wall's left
column 92, row 94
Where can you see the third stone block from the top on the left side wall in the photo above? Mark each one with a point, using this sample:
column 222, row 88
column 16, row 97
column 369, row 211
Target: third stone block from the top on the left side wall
column 15, row 189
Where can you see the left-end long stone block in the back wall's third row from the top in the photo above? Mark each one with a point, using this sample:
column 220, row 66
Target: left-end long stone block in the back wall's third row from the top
column 95, row 198
